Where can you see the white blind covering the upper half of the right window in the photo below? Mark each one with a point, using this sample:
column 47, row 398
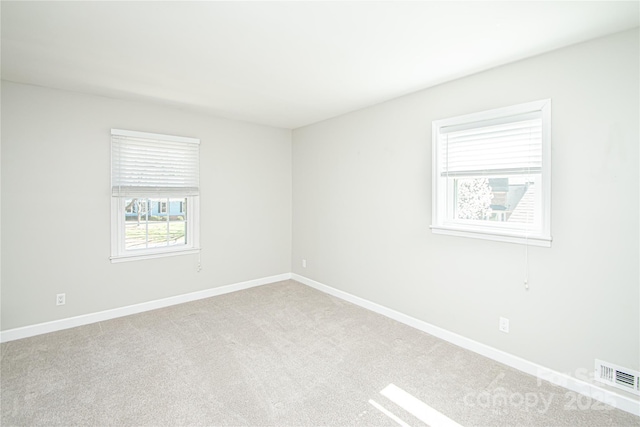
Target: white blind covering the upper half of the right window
column 505, row 146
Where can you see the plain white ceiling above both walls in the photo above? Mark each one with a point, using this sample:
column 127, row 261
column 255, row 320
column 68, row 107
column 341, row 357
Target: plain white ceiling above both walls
column 285, row 64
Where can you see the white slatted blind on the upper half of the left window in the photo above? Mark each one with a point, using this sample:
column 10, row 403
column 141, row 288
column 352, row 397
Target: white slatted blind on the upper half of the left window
column 144, row 164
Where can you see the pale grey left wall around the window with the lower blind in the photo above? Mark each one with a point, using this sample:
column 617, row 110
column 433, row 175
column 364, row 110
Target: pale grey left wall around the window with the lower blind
column 56, row 204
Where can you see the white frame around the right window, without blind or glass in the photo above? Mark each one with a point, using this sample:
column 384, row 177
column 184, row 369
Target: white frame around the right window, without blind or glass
column 441, row 200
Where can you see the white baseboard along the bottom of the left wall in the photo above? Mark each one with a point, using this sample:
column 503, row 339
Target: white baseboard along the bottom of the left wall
column 85, row 319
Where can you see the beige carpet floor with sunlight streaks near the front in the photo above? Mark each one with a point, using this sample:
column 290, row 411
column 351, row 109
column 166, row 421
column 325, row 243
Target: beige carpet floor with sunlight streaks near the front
column 279, row 355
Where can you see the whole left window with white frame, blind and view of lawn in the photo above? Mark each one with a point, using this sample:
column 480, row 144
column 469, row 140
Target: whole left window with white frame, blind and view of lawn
column 155, row 188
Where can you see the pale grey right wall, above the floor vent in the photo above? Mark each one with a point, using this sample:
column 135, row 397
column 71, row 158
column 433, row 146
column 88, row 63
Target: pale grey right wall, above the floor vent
column 362, row 210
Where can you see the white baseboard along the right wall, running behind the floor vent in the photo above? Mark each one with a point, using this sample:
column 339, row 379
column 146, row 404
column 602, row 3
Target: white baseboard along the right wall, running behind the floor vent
column 619, row 401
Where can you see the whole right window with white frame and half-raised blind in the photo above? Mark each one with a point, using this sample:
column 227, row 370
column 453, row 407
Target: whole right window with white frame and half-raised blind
column 491, row 174
